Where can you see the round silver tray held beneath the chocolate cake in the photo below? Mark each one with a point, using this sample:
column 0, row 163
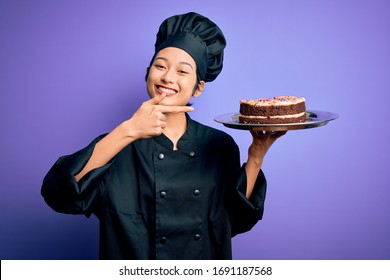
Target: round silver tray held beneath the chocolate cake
column 315, row 118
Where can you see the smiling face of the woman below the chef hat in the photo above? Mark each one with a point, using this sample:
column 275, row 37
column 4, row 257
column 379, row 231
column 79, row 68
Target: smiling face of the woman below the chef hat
column 173, row 72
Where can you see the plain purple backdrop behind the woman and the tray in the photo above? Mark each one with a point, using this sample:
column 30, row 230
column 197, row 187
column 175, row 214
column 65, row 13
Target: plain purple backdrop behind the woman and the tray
column 71, row 70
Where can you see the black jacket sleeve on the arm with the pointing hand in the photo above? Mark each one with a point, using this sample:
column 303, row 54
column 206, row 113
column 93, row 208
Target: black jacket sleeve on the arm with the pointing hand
column 63, row 193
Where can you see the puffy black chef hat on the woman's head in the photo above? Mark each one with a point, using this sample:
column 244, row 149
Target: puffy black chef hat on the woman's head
column 199, row 37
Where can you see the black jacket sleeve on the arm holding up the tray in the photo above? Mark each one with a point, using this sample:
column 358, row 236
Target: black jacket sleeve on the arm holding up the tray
column 244, row 213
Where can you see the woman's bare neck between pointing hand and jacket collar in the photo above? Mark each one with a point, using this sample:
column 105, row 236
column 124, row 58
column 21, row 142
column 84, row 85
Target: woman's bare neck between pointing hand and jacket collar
column 176, row 127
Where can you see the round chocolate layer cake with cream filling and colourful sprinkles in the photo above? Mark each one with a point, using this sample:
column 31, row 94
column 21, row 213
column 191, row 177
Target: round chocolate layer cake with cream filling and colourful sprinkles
column 276, row 110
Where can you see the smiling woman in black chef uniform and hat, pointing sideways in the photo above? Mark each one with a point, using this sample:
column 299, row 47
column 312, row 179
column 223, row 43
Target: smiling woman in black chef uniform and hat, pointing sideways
column 162, row 185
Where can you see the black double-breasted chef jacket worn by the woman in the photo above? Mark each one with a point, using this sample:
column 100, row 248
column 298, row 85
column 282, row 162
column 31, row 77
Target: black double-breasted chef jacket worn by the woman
column 154, row 202
